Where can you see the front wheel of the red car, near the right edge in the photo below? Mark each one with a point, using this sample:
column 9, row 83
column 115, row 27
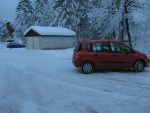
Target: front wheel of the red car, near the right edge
column 139, row 66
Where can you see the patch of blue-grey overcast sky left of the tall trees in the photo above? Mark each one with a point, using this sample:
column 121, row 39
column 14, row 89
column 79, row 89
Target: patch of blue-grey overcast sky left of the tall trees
column 7, row 9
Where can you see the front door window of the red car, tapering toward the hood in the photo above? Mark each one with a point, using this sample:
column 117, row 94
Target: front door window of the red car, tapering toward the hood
column 116, row 47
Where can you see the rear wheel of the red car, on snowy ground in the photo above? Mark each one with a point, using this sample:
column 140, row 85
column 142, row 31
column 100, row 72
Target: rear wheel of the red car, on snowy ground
column 87, row 67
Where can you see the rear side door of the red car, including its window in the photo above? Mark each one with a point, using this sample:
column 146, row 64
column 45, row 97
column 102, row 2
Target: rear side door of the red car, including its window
column 102, row 55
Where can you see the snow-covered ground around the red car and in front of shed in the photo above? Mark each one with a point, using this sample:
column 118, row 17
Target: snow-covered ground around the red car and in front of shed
column 47, row 82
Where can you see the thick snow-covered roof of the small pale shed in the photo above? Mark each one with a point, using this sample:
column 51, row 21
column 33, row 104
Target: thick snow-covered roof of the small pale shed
column 48, row 31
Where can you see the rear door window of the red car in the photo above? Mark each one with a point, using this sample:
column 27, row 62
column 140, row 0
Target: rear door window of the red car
column 101, row 47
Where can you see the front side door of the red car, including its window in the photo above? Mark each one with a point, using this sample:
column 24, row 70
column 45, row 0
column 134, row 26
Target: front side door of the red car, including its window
column 121, row 56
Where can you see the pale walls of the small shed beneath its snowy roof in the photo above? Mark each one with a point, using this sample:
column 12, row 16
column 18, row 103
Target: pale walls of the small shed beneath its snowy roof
column 43, row 42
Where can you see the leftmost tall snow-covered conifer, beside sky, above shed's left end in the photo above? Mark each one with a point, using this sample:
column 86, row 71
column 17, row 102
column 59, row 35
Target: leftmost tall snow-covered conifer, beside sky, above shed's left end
column 24, row 17
